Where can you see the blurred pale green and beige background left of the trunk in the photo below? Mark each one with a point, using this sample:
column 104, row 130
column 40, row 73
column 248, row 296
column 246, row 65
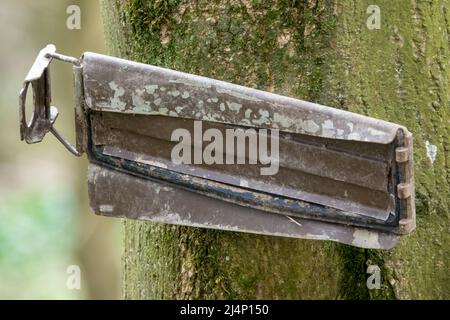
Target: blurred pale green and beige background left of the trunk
column 45, row 221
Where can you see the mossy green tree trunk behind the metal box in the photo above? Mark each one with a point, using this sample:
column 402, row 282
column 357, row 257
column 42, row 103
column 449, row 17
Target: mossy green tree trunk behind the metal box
column 321, row 51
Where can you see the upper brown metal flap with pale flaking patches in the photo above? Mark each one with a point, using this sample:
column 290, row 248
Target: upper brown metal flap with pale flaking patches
column 149, row 90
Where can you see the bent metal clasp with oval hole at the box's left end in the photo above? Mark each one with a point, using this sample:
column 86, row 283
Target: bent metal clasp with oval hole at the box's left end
column 44, row 115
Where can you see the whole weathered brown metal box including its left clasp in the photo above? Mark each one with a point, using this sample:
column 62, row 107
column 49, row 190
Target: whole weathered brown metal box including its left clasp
column 177, row 148
